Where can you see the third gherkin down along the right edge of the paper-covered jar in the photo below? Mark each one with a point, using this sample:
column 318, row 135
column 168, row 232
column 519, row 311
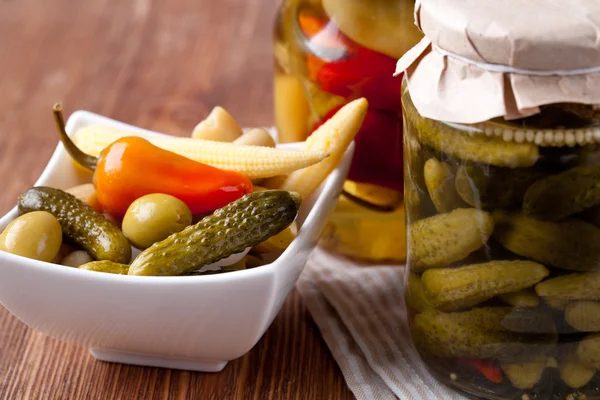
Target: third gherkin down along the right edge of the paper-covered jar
column 584, row 286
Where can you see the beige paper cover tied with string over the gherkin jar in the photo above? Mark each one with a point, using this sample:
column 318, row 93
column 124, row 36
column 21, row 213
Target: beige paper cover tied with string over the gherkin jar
column 481, row 60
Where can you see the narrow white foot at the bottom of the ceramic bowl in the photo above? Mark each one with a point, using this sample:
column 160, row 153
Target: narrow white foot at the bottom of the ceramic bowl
column 116, row 356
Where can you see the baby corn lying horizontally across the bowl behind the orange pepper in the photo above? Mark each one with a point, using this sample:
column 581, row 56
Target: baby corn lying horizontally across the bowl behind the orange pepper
column 253, row 161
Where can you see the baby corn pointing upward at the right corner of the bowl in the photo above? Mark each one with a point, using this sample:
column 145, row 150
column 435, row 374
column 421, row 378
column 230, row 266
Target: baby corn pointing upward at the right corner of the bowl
column 333, row 137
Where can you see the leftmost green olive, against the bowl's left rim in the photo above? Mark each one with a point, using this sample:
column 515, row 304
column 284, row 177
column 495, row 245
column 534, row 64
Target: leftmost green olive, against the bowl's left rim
column 35, row 235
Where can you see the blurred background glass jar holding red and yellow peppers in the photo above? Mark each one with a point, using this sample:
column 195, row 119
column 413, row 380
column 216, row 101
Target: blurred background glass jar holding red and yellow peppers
column 329, row 52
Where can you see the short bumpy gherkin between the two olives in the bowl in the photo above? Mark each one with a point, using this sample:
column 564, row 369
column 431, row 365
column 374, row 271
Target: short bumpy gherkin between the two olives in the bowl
column 80, row 223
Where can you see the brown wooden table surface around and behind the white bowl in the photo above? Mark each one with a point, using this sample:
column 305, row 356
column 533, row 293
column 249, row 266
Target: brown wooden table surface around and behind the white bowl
column 162, row 65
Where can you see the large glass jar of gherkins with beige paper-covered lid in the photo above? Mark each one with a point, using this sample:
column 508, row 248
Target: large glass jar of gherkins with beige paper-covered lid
column 502, row 195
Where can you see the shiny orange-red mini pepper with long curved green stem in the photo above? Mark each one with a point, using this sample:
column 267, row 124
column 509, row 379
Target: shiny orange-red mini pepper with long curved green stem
column 132, row 167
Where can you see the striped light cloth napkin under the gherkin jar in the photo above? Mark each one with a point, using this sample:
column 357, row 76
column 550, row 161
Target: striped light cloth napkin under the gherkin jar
column 361, row 314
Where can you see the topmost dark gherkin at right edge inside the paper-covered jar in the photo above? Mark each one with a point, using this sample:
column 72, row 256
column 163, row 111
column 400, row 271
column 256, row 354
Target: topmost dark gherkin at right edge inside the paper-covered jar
column 559, row 196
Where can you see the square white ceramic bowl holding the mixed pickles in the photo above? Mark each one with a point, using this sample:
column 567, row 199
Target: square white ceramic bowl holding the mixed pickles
column 193, row 322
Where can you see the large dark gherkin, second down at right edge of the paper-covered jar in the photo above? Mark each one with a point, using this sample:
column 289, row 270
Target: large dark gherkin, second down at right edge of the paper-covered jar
column 571, row 244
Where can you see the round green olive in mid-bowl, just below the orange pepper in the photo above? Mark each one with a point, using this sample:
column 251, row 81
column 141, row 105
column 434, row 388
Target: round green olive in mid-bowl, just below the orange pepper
column 153, row 218
